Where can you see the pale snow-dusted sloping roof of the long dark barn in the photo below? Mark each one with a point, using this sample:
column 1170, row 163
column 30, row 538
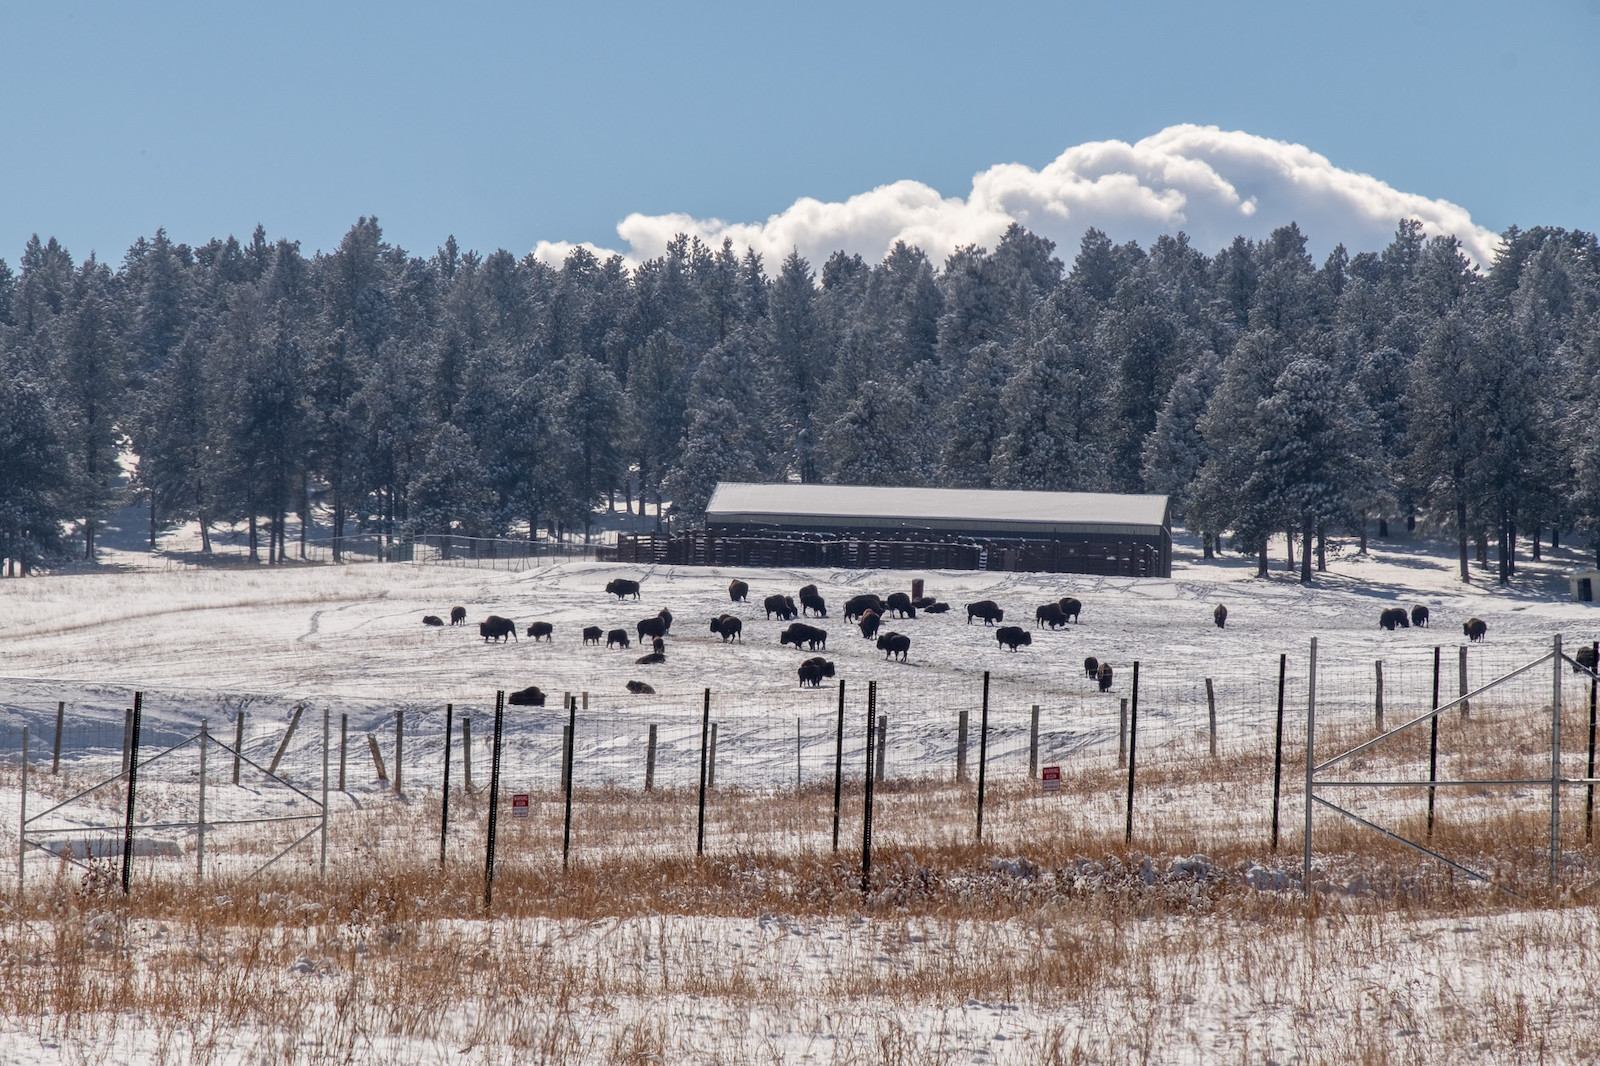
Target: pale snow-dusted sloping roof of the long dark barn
column 986, row 507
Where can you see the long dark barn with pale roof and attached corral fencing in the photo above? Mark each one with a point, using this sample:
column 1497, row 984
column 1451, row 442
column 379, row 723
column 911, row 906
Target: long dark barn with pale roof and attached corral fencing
column 929, row 529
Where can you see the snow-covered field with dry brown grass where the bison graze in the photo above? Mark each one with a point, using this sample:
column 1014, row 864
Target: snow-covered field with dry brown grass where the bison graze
column 806, row 987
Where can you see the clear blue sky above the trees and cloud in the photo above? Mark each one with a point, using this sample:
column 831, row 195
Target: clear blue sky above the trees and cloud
column 514, row 124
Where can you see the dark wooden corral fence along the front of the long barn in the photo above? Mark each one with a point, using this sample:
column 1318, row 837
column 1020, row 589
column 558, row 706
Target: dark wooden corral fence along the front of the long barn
column 700, row 548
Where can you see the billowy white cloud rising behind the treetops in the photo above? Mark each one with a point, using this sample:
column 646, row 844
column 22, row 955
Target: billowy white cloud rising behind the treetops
column 1210, row 183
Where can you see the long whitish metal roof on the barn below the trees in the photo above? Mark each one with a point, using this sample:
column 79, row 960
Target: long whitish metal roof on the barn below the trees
column 951, row 510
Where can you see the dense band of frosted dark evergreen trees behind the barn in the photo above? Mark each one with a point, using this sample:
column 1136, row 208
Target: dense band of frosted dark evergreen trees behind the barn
column 498, row 396
